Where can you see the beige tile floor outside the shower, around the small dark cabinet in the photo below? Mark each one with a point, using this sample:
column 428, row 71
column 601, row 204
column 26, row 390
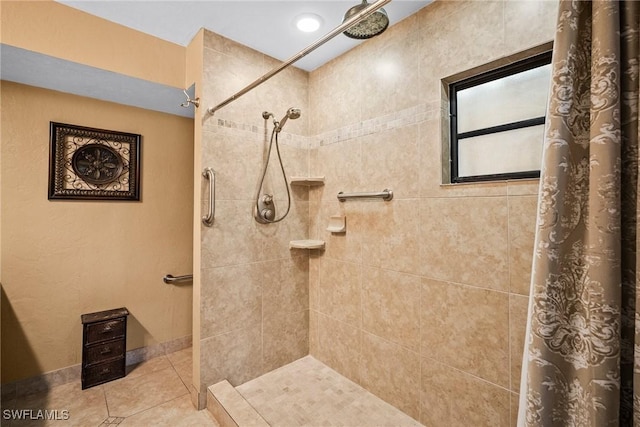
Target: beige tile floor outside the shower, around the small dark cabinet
column 154, row 393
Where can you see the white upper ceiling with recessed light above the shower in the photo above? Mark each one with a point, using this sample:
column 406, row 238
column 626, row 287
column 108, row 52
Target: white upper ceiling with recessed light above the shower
column 265, row 25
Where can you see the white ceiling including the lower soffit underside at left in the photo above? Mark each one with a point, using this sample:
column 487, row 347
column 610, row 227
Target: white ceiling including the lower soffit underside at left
column 264, row 25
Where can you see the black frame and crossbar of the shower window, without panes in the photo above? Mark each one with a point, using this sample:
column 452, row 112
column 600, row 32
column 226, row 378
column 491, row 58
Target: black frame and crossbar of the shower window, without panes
column 476, row 80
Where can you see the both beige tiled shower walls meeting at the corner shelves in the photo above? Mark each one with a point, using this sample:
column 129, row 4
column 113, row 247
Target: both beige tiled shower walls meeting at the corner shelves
column 423, row 300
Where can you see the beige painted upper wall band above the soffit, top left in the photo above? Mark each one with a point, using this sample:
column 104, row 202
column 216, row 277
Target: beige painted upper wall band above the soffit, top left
column 60, row 31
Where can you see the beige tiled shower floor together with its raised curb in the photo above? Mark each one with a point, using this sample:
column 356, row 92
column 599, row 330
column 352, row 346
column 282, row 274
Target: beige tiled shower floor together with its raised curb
column 303, row 393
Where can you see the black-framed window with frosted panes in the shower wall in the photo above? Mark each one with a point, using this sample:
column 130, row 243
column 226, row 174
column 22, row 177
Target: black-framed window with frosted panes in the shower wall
column 497, row 122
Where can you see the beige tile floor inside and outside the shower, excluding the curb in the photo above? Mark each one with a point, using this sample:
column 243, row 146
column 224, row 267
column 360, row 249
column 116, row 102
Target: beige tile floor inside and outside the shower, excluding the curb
column 154, row 393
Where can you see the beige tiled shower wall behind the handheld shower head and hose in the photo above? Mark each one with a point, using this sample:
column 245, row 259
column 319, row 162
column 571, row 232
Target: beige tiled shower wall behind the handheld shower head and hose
column 254, row 291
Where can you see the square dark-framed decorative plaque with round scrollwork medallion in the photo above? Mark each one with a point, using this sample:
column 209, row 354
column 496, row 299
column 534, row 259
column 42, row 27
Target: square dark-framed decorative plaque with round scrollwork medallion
column 93, row 164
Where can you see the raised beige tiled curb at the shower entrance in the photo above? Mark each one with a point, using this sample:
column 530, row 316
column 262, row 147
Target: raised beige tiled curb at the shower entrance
column 230, row 409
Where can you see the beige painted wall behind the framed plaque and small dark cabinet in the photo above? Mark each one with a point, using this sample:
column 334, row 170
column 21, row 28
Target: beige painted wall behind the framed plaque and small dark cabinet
column 61, row 259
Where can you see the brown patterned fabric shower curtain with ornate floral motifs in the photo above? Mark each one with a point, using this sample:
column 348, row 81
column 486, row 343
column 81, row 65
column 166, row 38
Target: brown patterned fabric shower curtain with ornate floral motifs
column 581, row 362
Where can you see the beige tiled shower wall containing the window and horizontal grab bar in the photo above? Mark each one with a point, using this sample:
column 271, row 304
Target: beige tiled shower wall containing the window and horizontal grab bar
column 423, row 301
